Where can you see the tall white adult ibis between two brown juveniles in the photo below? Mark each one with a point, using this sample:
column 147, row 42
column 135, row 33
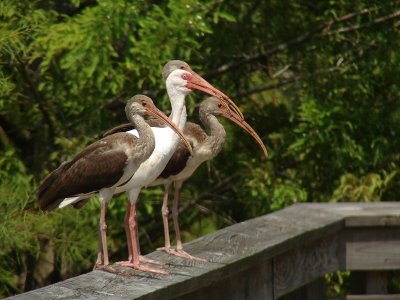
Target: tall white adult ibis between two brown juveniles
column 180, row 80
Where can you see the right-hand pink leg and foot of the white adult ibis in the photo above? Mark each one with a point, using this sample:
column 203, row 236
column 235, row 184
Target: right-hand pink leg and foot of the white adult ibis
column 135, row 261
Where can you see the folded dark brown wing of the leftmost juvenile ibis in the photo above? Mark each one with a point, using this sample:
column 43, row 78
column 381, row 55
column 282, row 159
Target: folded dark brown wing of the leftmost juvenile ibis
column 98, row 166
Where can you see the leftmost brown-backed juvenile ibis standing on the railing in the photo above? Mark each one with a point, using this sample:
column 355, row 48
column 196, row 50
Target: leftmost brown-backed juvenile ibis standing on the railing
column 103, row 166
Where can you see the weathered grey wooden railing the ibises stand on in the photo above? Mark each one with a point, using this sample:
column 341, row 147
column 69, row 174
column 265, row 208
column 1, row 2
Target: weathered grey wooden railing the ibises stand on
column 280, row 255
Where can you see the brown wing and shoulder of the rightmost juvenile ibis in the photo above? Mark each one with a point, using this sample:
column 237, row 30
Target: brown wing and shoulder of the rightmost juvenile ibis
column 178, row 161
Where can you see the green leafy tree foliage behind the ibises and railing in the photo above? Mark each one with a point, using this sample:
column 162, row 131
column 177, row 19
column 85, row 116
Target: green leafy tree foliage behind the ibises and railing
column 317, row 79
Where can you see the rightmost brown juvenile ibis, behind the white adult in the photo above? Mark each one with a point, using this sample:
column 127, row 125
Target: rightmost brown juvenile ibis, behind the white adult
column 181, row 166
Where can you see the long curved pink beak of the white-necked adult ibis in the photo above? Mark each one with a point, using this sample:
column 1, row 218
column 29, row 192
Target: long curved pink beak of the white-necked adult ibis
column 199, row 83
